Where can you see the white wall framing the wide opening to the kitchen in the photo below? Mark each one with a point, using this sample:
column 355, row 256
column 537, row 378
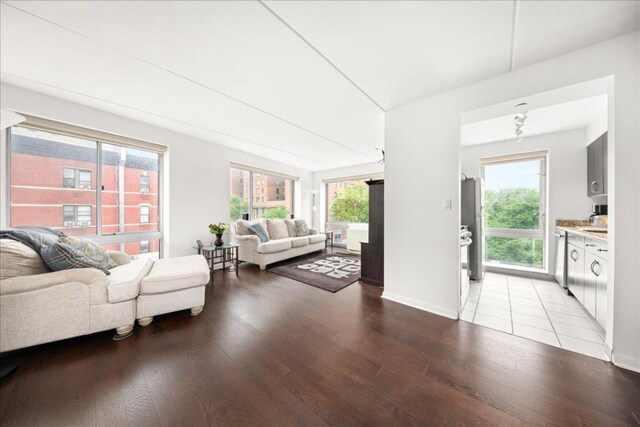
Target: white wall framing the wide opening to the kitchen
column 423, row 140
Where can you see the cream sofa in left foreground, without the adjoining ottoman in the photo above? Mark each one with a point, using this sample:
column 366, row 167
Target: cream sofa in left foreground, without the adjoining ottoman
column 39, row 306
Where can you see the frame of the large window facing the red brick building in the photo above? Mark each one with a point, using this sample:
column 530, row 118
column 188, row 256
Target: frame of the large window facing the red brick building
column 99, row 138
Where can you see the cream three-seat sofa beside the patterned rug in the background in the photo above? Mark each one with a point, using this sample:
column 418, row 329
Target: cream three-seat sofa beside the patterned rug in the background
column 281, row 246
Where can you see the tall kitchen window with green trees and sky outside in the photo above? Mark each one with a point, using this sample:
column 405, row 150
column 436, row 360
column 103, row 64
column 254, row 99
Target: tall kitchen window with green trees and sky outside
column 514, row 210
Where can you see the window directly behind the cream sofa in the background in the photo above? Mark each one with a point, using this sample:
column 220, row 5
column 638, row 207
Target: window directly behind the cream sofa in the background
column 260, row 195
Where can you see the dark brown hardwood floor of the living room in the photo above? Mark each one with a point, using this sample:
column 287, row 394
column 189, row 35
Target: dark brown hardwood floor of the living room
column 268, row 350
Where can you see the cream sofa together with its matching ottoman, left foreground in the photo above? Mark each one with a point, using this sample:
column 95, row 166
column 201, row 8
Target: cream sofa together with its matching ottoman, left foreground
column 38, row 305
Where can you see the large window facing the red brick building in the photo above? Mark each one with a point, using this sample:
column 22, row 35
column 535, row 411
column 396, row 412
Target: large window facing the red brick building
column 82, row 183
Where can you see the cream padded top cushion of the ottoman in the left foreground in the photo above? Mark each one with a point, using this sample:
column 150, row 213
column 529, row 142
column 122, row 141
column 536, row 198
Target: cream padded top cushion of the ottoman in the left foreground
column 174, row 274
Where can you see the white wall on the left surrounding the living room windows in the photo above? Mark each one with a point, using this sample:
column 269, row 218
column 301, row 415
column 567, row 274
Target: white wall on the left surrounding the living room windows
column 197, row 172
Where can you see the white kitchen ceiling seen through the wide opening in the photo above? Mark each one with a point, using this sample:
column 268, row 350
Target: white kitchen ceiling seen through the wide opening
column 554, row 118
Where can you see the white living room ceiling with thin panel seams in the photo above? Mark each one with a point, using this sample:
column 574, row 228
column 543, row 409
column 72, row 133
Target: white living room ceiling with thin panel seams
column 305, row 83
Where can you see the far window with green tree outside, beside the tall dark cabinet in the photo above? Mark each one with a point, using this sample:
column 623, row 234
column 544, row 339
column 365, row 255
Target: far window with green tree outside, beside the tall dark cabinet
column 347, row 203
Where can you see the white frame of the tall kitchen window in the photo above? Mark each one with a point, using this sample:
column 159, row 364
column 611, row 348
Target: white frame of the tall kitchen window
column 514, row 233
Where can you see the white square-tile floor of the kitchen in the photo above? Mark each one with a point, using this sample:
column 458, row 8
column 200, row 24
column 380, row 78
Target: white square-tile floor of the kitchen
column 533, row 309
